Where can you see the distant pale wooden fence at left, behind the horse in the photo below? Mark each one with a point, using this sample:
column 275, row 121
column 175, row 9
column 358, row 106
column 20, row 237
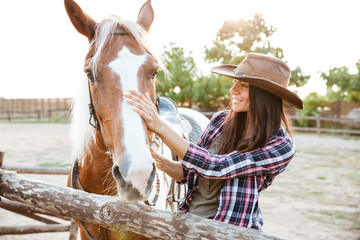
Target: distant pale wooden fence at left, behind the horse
column 37, row 109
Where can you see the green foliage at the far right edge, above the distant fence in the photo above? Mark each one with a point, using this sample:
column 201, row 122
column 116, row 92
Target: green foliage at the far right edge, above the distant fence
column 348, row 85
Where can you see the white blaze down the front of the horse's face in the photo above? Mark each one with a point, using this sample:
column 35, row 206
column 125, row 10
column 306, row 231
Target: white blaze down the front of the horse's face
column 137, row 163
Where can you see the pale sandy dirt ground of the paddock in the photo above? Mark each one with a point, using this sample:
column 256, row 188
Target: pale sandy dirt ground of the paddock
column 317, row 197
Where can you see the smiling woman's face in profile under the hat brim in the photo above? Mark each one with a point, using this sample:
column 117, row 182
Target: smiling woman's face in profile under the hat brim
column 240, row 96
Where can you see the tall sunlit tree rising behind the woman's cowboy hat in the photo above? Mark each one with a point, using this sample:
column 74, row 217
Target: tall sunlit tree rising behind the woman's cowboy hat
column 236, row 38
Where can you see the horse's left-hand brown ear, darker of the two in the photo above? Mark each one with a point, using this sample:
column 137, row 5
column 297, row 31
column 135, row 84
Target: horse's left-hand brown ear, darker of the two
column 83, row 23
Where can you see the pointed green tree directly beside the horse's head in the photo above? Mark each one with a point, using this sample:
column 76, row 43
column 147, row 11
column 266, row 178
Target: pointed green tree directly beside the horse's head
column 183, row 74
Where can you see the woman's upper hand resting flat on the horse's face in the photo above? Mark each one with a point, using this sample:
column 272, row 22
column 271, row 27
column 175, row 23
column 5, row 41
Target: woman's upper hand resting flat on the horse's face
column 143, row 105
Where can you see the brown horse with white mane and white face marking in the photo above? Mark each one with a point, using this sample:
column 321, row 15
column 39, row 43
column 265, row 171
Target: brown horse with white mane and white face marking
column 110, row 141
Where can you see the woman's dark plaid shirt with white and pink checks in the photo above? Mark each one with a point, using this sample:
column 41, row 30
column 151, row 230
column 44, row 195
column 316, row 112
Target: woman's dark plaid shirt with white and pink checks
column 245, row 174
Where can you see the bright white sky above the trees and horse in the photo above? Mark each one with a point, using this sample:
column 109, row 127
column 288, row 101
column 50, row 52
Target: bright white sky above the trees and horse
column 42, row 55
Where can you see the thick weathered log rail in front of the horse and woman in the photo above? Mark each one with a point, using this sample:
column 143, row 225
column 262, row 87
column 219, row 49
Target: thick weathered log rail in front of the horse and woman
column 115, row 215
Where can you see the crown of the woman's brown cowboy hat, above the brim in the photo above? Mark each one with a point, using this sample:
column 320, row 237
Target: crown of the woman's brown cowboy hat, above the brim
column 263, row 66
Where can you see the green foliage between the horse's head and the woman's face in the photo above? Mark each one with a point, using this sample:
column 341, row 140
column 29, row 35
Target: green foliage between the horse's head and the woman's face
column 186, row 87
